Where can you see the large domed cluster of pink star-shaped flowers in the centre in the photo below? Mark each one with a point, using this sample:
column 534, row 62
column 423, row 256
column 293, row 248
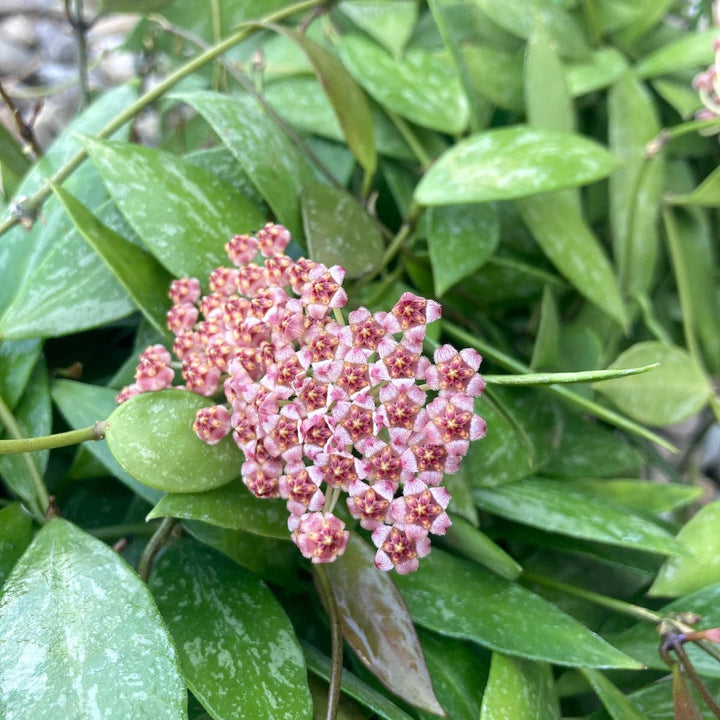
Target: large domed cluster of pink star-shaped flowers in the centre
column 320, row 407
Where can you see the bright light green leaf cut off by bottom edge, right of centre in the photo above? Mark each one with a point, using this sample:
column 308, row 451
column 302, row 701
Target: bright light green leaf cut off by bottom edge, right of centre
column 519, row 689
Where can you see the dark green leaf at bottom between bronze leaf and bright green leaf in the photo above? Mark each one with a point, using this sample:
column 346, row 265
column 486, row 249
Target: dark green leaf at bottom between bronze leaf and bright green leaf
column 458, row 671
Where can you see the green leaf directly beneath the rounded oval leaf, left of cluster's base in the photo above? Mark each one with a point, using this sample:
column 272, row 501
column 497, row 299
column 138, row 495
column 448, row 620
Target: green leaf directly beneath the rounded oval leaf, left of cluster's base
column 231, row 506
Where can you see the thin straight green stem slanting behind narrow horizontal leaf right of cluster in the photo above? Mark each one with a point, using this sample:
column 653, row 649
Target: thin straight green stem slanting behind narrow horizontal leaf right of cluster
column 589, row 406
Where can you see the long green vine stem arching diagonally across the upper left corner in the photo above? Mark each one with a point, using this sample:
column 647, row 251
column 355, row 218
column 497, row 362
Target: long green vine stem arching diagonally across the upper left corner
column 32, row 205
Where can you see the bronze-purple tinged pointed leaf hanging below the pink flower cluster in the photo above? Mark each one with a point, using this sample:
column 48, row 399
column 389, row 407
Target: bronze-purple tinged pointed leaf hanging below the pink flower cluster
column 377, row 626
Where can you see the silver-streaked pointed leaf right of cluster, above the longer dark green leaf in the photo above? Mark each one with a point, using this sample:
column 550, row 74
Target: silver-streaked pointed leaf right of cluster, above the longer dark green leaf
column 560, row 506
